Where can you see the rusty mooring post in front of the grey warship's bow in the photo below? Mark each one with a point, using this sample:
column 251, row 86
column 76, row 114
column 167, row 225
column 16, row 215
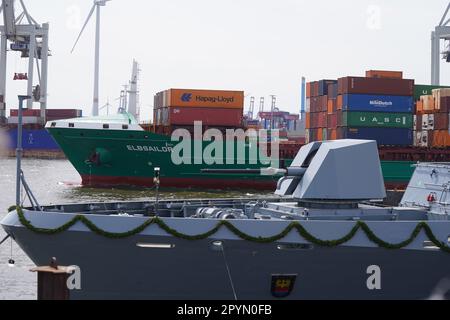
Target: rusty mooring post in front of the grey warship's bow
column 52, row 281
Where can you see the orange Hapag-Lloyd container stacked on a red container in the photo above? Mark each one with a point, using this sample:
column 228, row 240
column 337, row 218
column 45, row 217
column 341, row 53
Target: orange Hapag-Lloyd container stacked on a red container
column 181, row 107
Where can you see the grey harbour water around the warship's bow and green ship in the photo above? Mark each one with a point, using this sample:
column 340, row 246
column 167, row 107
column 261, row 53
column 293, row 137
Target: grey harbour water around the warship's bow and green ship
column 56, row 181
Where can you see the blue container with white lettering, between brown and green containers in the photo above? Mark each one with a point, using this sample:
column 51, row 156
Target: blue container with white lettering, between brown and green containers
column 377, row 103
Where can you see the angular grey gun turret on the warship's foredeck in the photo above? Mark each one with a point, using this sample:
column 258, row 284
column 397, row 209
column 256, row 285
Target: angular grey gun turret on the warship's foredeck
column 342, row 170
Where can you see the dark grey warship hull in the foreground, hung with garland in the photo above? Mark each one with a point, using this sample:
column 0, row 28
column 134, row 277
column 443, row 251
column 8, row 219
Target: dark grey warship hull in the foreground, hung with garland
column 186, row 269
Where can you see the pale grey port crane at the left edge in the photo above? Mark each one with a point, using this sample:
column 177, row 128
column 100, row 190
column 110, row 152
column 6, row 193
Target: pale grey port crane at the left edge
column 30, row 38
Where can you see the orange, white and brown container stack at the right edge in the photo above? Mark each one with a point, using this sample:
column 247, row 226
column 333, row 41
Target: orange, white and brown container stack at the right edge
column 431, row 121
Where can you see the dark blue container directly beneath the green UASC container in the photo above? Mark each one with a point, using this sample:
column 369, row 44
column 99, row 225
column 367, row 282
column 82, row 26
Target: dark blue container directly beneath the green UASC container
column 383, row 136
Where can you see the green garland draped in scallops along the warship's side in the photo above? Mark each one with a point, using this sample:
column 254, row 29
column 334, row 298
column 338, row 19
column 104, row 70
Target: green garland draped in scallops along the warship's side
column 293, row 226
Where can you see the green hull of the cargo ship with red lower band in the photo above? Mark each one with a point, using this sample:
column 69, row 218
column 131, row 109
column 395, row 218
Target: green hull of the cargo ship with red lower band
column 128, row 158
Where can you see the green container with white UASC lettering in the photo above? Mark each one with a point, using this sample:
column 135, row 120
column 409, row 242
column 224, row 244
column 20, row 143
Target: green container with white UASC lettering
column 377, row 120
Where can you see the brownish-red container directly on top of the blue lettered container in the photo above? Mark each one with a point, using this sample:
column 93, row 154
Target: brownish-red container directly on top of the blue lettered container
column 379, row 86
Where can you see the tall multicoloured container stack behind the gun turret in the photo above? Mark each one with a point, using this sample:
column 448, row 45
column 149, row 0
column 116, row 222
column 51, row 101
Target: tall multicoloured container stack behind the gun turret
column 376, row 107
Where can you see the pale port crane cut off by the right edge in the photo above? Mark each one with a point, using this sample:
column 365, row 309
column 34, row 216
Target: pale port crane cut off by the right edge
column 441, row 32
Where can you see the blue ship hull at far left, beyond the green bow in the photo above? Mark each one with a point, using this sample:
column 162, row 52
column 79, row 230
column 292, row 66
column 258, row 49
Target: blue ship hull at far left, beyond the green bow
column 33, row 140
